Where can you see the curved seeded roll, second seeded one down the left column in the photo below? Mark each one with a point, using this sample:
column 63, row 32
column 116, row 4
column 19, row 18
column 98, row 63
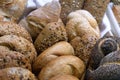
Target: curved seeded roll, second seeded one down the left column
column 19, row 44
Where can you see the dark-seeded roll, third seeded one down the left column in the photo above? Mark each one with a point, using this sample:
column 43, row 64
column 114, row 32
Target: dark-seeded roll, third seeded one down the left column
column 10, row 58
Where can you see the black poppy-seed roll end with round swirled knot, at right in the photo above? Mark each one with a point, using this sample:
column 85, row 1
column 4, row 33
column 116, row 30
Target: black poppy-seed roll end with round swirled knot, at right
column 103, row 47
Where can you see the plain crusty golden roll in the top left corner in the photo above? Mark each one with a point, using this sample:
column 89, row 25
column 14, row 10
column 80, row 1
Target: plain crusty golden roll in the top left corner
column 12, row 9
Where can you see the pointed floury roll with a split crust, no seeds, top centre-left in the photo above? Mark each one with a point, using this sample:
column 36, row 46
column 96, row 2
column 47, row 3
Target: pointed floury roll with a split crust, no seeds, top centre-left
column 40, row 17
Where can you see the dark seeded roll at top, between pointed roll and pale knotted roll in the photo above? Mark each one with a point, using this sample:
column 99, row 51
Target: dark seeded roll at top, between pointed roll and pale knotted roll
column 68, row 6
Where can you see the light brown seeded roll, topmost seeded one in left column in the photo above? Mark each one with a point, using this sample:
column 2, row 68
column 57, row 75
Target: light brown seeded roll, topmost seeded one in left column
column 10, row 28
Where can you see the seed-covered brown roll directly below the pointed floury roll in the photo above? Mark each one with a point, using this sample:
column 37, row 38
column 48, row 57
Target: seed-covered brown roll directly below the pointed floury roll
column 51, row 34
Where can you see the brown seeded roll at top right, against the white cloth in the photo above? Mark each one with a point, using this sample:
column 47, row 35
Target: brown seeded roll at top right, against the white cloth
column 96, row 8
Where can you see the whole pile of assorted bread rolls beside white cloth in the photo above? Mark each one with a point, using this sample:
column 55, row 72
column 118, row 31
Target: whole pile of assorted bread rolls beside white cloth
column 56, row 42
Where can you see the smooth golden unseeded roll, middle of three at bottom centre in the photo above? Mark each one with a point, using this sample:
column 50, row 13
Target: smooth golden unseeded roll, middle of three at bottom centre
column 70, row 65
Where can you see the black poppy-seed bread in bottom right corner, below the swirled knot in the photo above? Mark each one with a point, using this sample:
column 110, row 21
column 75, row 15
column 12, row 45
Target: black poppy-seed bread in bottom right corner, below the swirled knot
column 109, row 68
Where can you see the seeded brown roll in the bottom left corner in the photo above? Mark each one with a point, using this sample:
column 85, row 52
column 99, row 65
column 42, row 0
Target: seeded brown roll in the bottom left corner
column 16, row 73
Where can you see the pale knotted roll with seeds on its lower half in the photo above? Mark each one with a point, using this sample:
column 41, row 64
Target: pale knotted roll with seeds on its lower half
column 82, row 33
